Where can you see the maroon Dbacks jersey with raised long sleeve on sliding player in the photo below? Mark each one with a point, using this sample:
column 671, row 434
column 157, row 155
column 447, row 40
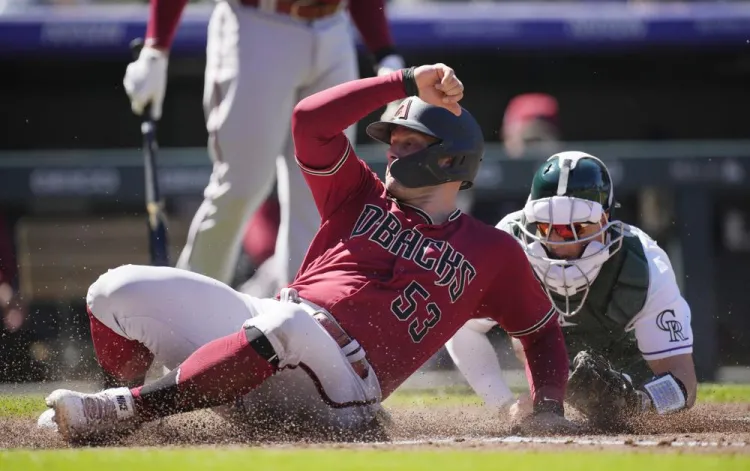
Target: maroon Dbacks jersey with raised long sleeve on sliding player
column 397, row 282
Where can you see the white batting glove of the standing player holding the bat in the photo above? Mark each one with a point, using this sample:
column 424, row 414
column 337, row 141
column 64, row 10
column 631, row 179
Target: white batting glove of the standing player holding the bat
column 146, row 81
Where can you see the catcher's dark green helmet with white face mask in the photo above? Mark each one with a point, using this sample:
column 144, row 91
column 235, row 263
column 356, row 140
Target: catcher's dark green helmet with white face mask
column 569, row 191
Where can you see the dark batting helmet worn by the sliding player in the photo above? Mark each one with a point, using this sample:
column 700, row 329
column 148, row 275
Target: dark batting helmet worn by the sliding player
column 459, row 137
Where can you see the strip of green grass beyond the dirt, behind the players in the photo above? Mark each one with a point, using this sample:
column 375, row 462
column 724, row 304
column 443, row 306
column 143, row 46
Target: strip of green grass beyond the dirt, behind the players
column 32, row 405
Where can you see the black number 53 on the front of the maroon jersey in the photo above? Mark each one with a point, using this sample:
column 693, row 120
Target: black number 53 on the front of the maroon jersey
column 410, row 305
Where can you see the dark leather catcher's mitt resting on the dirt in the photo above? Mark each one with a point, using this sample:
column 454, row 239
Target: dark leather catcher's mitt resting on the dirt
column 605, row 396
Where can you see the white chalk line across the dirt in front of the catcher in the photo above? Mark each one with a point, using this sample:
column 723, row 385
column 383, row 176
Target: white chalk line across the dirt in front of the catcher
column 566, row 441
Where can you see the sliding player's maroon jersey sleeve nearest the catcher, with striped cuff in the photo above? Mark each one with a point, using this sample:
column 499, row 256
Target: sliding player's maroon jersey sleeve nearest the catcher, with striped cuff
column 516, row 301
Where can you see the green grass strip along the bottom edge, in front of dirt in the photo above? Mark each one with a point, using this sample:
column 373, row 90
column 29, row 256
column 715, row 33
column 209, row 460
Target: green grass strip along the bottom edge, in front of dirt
column 360, row 460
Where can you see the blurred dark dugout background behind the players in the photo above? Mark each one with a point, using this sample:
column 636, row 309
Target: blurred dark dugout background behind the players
column 658, row 90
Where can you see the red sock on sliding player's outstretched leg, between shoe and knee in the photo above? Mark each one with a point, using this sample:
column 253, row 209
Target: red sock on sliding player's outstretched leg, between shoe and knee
column 217, row 373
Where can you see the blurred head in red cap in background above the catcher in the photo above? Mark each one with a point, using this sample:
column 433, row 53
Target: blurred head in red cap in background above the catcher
column 531, row 125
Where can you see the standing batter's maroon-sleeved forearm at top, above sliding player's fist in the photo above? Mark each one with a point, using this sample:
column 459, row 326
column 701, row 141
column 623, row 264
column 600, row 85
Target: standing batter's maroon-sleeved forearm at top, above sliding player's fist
column 371, row 21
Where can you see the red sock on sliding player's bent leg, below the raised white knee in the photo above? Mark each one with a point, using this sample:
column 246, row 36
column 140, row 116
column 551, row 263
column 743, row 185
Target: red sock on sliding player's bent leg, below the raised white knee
column 125, row 360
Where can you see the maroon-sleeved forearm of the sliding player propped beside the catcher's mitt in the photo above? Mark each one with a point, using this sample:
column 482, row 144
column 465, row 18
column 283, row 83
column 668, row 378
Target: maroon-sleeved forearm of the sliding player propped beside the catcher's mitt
column 546, row 362
